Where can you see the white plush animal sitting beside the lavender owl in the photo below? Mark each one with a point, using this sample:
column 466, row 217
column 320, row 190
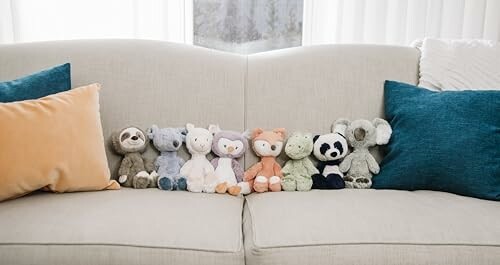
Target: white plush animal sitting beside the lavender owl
column 198, row 170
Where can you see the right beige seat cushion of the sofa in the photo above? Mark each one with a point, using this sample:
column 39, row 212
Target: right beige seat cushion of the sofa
column 370, row 227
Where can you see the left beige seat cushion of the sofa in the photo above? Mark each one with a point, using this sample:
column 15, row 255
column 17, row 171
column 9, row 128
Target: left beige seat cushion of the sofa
column 122, row 227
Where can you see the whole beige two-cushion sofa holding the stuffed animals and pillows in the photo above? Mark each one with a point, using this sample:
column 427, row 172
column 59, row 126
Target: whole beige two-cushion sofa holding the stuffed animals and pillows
column 146, row 82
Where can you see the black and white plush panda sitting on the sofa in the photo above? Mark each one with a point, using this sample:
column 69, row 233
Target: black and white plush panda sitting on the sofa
column 329, row 149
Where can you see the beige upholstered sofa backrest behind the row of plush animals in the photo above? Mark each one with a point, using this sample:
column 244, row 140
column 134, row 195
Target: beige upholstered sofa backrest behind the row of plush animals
column 146, row 82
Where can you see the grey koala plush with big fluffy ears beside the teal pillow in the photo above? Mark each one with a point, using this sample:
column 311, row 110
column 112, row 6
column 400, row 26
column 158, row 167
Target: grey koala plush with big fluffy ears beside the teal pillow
column 360, row 165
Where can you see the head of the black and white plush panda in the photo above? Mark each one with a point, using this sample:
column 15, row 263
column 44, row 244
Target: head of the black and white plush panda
column 330, row 146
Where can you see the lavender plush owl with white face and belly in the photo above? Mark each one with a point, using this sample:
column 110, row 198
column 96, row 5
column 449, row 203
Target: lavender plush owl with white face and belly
column 229, row 146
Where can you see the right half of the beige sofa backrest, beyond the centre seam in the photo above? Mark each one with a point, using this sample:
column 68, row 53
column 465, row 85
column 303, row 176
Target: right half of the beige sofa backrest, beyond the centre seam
column 308, row 88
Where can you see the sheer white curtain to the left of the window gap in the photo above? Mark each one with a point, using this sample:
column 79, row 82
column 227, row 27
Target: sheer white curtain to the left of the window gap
column 39, row 20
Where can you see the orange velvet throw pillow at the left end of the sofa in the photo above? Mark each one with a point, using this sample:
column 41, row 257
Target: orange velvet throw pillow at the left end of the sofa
column 55, row 143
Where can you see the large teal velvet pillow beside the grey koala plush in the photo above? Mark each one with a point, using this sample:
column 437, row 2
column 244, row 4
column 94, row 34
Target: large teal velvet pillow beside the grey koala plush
column 445, row 141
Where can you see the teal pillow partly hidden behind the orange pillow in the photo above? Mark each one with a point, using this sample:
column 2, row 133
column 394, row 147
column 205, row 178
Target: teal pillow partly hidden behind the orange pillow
column 46, row 82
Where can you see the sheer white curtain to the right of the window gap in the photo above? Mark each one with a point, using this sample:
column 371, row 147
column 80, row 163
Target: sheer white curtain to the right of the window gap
column 398, row 21
